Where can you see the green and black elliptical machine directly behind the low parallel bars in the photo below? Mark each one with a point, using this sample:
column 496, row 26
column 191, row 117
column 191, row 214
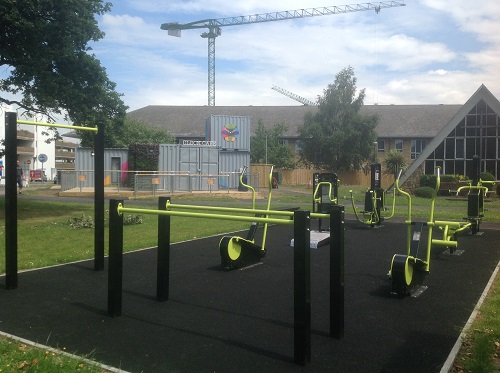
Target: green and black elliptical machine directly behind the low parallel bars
column 238, row 252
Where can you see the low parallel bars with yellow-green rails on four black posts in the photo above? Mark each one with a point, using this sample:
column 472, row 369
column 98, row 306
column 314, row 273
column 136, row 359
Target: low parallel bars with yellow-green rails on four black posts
column 301, row 254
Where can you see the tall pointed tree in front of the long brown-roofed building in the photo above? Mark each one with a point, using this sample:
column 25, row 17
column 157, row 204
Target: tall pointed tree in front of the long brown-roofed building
column 338, row 137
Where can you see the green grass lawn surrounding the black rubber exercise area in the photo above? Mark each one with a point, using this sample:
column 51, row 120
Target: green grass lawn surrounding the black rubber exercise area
column 53, row 232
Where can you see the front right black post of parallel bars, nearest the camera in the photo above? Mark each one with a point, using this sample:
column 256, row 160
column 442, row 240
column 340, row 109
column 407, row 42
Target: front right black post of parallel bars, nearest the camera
column 302, row 287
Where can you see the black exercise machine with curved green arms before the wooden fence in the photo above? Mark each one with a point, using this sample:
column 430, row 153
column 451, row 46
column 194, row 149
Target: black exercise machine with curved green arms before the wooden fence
column 374, row 200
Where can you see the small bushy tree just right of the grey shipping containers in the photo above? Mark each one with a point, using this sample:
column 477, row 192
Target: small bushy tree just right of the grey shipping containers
column 266, row 145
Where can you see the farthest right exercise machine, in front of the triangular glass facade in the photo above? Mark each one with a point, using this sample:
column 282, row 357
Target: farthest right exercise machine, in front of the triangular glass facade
column 475, row 196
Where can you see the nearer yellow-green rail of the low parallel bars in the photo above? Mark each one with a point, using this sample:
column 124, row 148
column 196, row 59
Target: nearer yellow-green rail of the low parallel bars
column 205, row 216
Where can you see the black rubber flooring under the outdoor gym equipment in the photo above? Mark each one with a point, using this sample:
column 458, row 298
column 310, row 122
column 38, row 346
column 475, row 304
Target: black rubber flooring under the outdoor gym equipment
column 242, row 320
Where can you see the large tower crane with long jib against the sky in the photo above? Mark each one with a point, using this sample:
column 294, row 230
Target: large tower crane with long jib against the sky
column 214, row 27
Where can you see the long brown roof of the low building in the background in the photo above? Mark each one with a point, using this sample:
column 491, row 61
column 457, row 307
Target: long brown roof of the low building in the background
column 401, row 121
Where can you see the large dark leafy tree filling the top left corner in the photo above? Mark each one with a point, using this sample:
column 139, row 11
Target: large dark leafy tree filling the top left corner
column 47, row 66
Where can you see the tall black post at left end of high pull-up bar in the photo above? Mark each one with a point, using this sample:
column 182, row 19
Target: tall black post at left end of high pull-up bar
column 10, row 200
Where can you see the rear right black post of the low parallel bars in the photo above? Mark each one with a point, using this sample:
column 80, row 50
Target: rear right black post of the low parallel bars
column 337, row 271
